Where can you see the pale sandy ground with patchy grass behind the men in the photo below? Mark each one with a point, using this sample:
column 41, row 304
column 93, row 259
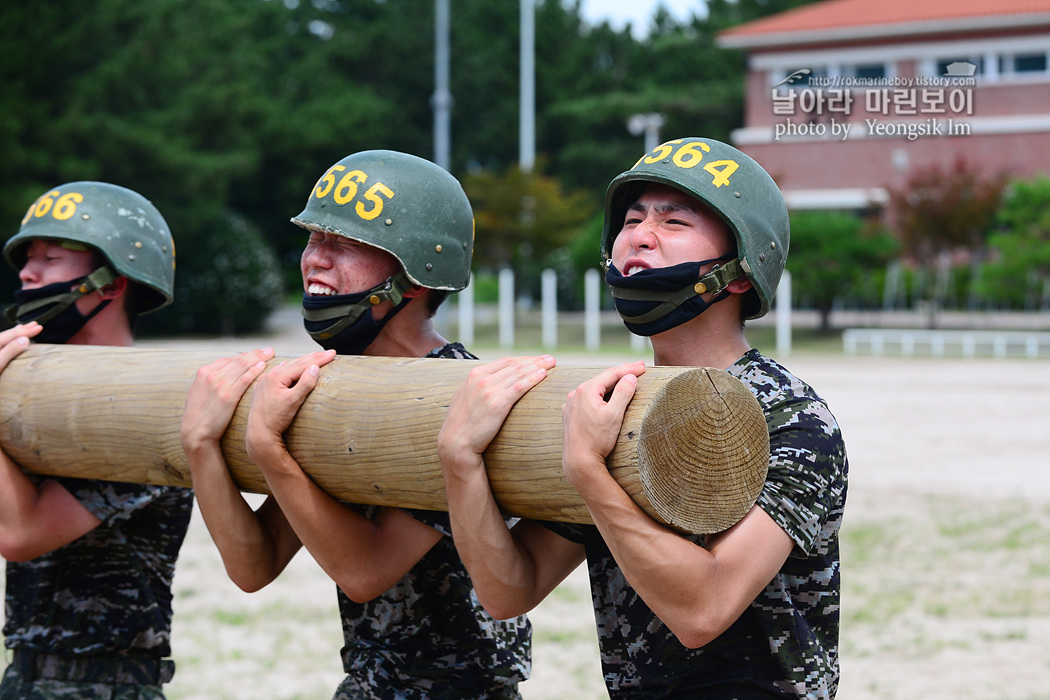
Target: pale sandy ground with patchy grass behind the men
column 947, row 555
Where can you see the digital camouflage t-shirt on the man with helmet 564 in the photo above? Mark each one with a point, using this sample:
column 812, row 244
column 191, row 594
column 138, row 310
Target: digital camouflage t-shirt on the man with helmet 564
column 786, row 644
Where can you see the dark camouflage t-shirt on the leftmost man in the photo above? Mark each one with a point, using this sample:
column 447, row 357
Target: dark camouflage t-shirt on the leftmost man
column 110, row 591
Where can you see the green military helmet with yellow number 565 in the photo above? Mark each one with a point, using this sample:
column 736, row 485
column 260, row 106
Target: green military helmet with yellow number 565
column 405, row 205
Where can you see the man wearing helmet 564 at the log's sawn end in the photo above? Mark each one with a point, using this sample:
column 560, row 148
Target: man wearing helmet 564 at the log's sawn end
column 696, row 241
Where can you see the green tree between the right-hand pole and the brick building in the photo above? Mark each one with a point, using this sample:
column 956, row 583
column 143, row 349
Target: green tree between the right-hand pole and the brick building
column 605, row 77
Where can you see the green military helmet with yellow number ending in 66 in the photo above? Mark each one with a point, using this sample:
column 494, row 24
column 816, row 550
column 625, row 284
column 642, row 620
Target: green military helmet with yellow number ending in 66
column 121, row 224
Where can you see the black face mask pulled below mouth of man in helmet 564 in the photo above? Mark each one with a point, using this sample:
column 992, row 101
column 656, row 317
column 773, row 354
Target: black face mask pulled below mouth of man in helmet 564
column 652, row 302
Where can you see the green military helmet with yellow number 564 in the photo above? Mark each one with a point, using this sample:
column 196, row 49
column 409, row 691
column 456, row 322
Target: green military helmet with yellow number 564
column 732, row 185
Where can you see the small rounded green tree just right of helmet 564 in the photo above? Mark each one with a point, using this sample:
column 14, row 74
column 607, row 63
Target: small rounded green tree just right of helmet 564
column 832, row 254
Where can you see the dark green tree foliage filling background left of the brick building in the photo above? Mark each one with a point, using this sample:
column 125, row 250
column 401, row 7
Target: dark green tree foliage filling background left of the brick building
column 225, row 113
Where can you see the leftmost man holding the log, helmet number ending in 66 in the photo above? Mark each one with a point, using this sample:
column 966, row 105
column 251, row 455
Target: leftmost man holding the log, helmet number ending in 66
column 90, row 563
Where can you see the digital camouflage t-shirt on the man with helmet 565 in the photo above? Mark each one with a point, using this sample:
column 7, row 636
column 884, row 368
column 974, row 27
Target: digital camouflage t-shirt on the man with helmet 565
column 428, row 638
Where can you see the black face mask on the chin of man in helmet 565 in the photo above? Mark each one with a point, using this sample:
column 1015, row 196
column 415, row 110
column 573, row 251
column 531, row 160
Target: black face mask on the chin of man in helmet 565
column 345, row 323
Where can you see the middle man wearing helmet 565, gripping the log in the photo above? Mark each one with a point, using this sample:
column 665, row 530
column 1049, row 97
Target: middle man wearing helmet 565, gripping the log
column 390, row 237
